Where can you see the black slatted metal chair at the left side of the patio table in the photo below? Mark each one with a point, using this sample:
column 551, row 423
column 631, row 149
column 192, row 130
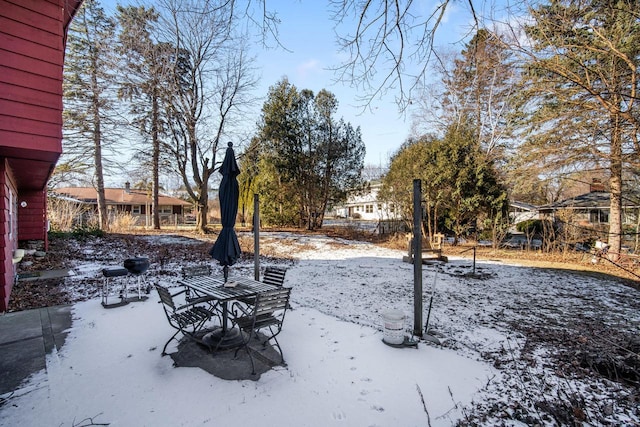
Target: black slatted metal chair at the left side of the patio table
column 188, row 319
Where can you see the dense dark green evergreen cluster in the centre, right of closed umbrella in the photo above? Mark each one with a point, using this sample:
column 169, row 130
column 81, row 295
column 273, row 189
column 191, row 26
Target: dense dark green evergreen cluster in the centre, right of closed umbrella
column 308, row 159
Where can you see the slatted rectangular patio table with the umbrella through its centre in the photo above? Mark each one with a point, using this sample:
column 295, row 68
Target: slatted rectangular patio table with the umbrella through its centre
column 214, row 287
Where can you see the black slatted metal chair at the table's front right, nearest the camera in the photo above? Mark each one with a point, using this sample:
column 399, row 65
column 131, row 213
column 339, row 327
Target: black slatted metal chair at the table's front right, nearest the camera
column 265, row 315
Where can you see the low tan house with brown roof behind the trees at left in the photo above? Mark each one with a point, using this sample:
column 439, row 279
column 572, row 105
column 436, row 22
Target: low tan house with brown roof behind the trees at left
column 137, row 203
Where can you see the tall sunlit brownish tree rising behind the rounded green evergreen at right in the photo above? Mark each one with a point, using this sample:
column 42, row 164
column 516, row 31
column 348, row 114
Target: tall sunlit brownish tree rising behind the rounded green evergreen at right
column 477, row 86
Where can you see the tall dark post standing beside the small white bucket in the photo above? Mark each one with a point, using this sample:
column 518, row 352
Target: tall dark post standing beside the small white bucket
column 417, row 257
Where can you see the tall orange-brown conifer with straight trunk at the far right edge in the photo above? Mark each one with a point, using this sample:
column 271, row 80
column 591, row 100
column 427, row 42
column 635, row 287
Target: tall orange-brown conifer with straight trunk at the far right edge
column 583, row 72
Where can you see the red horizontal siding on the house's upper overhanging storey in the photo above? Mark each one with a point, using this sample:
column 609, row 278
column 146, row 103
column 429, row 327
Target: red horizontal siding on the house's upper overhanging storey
column 32, row 52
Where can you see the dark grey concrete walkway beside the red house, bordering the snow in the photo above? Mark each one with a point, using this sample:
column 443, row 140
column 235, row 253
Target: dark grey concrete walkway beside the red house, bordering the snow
column 26, row 337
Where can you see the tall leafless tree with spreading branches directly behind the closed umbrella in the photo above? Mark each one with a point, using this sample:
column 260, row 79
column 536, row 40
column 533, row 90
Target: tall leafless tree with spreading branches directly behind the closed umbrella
column 210, row 85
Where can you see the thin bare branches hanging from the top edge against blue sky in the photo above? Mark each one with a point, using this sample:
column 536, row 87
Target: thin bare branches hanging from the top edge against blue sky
column 390, row 48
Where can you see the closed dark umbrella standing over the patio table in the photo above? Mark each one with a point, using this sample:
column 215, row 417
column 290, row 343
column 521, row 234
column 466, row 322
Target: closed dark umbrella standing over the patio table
column 226, row 249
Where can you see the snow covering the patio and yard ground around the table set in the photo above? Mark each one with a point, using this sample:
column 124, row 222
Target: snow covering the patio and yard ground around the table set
column 503, row 330
